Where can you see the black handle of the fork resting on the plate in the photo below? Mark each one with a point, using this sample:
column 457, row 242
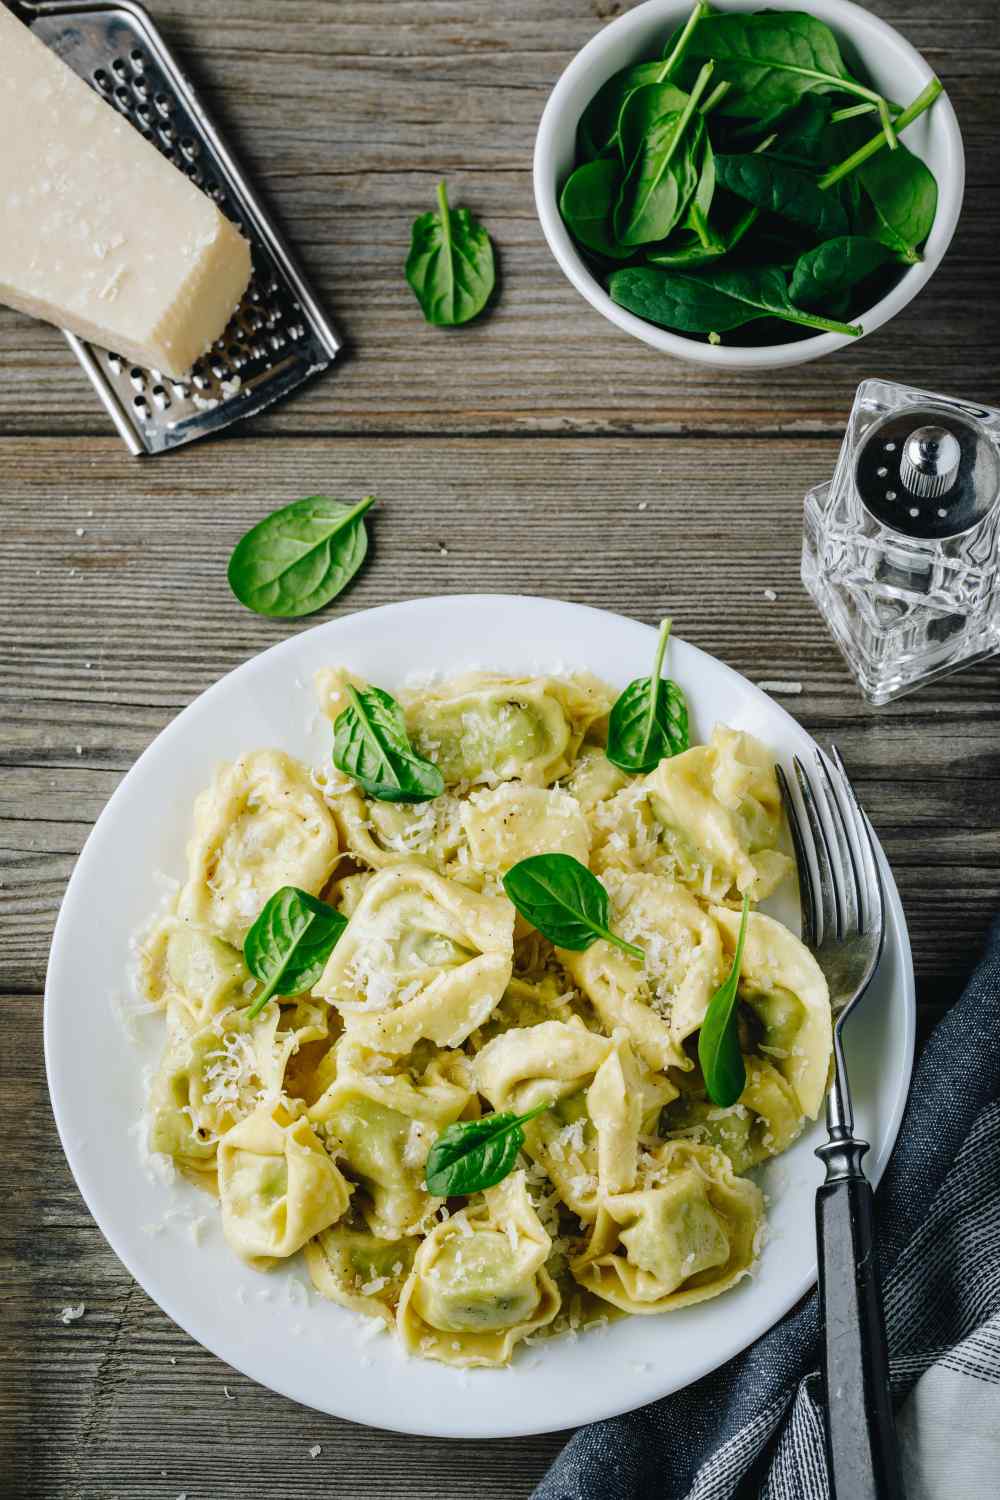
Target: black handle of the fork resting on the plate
column 861, row 1439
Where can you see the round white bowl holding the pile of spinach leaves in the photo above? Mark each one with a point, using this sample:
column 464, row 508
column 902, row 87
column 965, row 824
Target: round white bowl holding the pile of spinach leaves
column 894, row 68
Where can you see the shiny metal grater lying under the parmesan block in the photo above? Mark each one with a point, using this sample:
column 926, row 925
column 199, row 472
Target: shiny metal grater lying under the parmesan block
column 280, row 334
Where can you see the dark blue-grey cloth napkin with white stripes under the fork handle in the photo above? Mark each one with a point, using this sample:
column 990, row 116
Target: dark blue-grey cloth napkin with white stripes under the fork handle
column 756, row 1426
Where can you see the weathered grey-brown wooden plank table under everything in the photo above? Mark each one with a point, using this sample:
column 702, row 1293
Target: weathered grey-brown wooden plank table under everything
column 552, row 455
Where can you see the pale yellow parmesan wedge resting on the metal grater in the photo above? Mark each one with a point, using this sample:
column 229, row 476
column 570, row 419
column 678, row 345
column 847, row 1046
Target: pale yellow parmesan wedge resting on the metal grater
column 101, row 233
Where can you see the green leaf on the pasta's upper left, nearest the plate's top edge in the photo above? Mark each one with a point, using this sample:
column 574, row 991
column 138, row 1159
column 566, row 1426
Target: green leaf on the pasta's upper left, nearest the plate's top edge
column 373, row 748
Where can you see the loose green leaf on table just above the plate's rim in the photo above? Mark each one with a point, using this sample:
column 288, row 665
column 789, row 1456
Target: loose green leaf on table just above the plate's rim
column 301, row 557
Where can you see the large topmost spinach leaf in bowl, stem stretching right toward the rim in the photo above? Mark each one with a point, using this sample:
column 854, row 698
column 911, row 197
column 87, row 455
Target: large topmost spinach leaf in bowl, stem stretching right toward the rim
column 773, row 59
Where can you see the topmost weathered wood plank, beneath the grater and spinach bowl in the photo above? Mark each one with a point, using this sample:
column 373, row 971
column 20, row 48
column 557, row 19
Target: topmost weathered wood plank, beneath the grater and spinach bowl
column 349, row 113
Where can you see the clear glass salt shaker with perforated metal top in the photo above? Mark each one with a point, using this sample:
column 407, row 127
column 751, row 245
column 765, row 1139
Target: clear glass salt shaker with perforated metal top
column 902, row 548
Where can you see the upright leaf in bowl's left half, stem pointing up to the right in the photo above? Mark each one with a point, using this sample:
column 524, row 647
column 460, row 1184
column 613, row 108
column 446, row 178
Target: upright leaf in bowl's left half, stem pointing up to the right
column 659, row 151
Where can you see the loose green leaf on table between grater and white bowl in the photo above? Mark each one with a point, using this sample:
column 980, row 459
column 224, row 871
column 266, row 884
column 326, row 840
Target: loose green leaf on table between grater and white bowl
column 451, row 265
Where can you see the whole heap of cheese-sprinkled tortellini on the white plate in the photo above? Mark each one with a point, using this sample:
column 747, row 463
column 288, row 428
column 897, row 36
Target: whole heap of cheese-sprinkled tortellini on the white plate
column 439, row 1003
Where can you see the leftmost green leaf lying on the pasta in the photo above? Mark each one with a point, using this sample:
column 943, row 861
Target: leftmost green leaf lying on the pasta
column 289, row 946
